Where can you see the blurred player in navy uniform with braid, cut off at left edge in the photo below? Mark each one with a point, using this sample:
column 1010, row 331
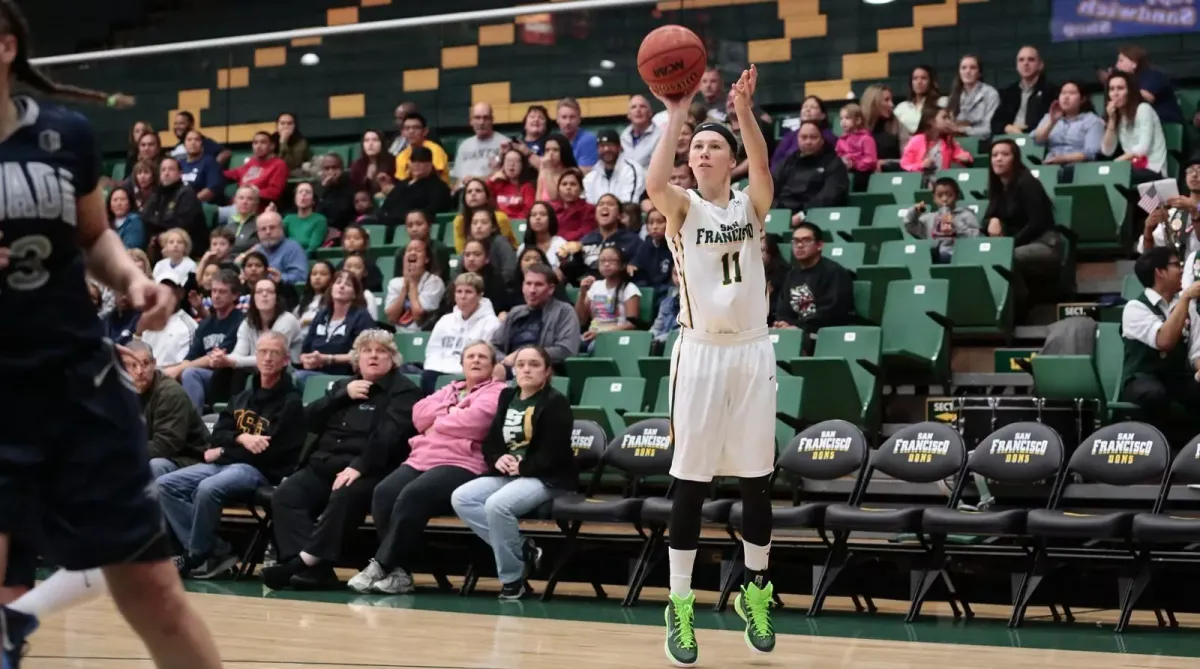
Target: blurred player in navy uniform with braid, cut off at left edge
column 75, row 478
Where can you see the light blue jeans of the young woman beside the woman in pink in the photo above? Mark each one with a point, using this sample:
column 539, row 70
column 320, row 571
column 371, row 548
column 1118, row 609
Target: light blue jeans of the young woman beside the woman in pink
column 493, row 508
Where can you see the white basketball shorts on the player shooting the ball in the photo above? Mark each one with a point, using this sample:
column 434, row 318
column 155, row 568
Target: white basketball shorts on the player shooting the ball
column 723, row 406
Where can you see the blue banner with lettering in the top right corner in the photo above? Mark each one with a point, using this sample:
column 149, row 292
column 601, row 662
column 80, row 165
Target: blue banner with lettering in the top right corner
column 1106, row 20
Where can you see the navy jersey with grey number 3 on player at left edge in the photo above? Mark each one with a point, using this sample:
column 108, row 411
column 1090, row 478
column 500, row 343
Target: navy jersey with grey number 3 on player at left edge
column 46, row 315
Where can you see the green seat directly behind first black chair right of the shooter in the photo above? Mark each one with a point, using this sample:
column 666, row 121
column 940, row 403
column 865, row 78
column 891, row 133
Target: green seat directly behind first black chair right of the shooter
column 843, row 376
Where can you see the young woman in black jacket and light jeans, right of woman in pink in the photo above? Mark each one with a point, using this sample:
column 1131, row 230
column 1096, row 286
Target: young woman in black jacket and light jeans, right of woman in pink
column 531, row 461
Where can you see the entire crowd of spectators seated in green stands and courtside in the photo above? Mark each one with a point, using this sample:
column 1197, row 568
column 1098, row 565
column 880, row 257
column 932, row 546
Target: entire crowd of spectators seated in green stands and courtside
column 551, row 243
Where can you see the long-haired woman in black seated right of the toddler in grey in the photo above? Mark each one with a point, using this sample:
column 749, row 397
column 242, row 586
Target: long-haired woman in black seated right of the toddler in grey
column 1019, row 208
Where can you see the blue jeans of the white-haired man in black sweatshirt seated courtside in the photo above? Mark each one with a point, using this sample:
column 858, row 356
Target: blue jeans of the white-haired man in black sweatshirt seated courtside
column 194, row 497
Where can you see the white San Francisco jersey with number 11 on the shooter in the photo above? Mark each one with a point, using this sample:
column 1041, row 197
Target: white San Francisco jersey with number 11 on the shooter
column 723, row 286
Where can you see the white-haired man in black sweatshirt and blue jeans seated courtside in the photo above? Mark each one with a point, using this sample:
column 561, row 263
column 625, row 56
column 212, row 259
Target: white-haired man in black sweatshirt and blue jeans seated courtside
column 257, row 442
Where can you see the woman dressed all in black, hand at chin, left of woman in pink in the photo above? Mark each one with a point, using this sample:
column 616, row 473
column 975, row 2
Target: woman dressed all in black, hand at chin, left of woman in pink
column 364, row 425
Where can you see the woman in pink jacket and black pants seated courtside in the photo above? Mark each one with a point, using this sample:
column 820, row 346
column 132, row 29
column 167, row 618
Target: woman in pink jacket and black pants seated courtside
column 447, row 453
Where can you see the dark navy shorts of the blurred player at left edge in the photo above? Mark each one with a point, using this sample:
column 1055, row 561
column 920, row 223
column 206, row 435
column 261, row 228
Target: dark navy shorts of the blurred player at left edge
column 75, row 472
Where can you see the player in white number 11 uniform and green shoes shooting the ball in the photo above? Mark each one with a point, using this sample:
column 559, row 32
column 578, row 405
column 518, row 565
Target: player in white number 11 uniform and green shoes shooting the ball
column 723, row 367
